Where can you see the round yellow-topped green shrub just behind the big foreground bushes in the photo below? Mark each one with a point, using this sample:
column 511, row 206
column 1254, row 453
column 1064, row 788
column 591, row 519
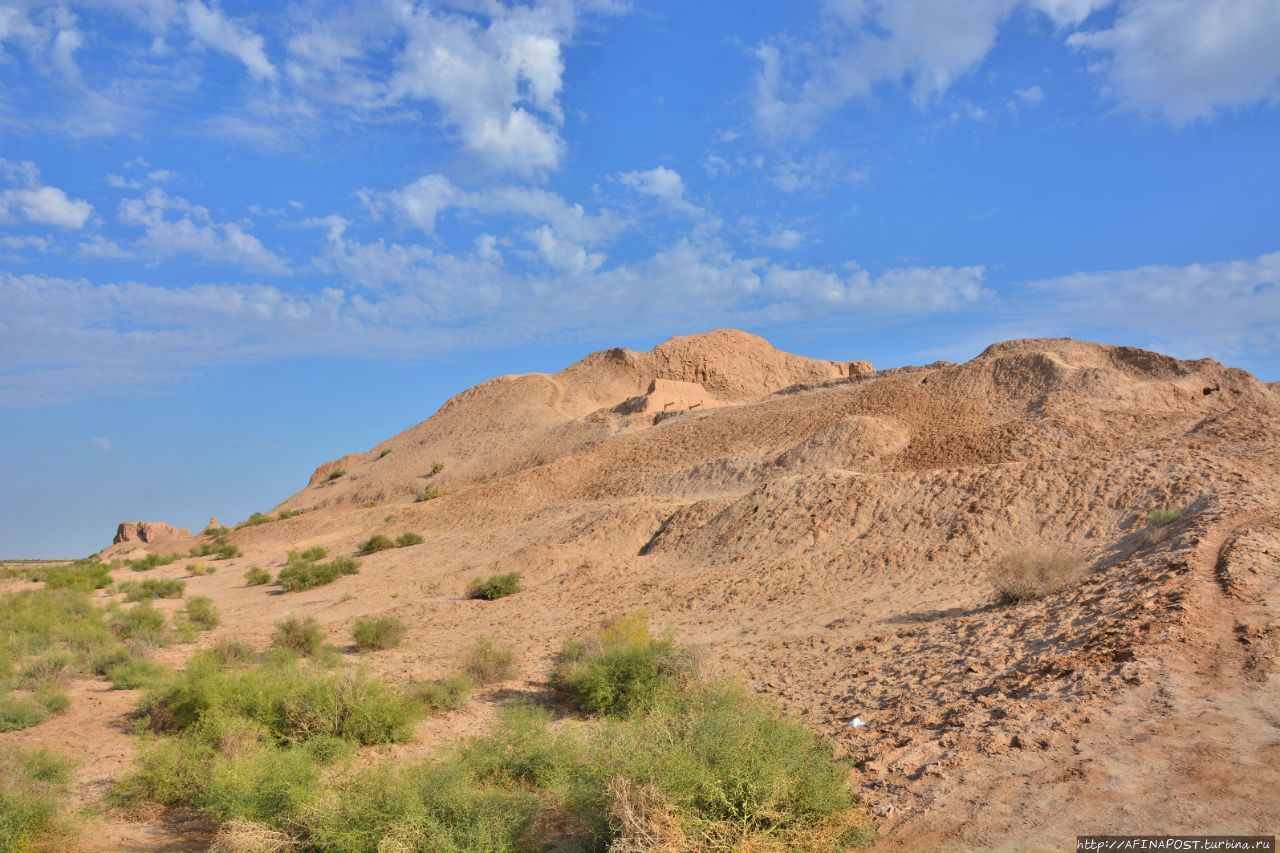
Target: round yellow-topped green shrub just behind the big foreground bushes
column 624, row 669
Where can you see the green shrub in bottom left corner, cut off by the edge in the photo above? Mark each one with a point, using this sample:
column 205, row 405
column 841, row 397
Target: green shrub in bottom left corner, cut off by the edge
column 35, row 792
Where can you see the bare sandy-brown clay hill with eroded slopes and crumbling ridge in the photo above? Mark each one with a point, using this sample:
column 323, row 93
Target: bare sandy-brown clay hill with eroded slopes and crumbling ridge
column 825, row 533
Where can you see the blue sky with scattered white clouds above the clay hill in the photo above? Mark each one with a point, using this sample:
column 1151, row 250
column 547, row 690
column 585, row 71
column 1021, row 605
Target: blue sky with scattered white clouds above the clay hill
column 239, row 240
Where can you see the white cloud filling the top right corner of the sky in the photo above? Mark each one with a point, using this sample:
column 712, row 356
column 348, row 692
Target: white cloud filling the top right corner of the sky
column 1190, row 60
